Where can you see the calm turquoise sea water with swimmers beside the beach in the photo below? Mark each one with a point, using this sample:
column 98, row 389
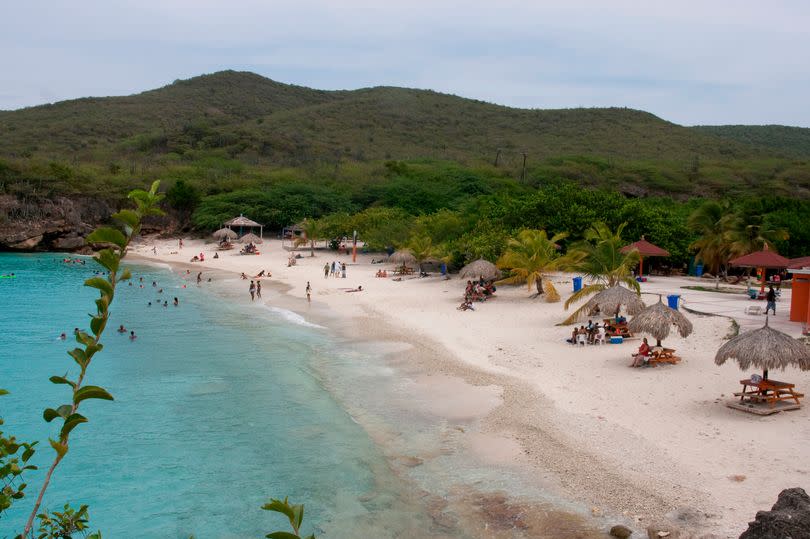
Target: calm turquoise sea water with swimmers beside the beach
column 218, row 408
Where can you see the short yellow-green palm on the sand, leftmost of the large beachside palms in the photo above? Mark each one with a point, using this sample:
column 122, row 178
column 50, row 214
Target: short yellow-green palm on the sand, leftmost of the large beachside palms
column 530, row 256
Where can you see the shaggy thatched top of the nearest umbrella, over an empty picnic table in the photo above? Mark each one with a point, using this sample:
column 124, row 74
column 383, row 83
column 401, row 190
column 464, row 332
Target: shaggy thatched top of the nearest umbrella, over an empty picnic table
column 765, row 348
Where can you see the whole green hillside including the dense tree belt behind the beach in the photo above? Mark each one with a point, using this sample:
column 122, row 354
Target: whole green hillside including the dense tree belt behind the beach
column 391, row 161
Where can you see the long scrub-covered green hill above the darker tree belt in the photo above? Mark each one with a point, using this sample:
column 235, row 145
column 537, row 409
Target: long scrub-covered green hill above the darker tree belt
column 233, row 130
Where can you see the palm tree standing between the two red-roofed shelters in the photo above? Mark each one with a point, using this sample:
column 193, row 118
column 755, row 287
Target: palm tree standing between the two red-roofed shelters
column 713, row 222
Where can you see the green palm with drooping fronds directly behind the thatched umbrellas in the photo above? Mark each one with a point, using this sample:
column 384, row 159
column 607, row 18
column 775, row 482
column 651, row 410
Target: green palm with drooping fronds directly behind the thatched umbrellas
column 599, row 258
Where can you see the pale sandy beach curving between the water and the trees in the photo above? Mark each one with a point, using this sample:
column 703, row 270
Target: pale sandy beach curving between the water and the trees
column 635, row 446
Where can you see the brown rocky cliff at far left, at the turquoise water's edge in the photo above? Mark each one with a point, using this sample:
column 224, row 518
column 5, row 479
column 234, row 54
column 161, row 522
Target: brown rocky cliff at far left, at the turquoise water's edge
column 58, row 224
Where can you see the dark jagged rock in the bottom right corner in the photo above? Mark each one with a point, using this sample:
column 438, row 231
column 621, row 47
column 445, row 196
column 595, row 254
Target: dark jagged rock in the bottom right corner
column 789, row 518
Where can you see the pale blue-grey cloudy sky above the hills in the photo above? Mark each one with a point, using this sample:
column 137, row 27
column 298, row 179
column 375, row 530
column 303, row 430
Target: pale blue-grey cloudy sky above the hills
column 688, row 61
